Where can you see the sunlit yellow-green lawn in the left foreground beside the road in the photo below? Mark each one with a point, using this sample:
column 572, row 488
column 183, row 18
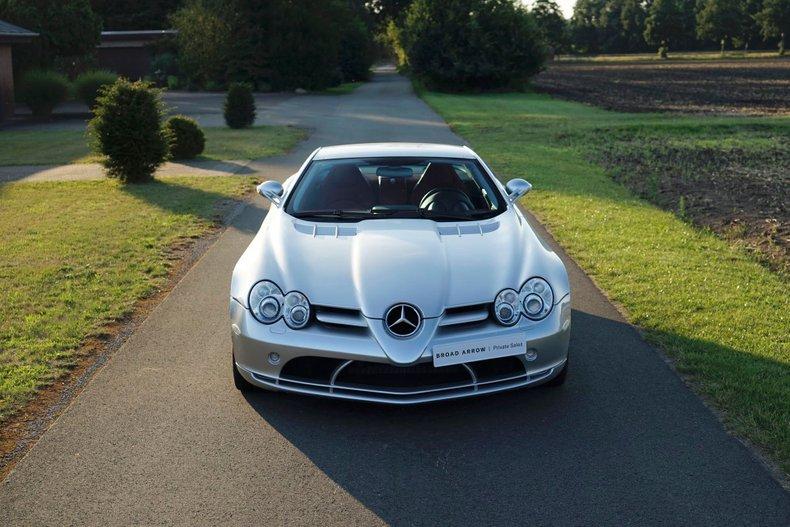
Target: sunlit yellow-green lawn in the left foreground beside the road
column 62, row 285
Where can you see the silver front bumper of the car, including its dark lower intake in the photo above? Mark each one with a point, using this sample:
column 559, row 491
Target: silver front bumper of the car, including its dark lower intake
column 337, row 354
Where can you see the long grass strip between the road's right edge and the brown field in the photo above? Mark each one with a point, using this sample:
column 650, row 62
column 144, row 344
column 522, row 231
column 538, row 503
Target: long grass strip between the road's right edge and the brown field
column 712, row 307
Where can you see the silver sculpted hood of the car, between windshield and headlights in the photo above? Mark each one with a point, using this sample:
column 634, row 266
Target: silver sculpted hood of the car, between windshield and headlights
column 373, row 264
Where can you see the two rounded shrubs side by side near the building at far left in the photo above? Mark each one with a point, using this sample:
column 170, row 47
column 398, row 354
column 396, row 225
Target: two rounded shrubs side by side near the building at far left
column 43, row 90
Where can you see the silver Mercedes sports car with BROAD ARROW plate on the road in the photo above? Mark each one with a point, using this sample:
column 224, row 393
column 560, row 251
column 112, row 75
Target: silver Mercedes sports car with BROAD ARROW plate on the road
column 397, row 273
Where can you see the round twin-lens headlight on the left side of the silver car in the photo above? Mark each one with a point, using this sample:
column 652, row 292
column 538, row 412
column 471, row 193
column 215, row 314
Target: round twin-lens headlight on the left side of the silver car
column 267, row 304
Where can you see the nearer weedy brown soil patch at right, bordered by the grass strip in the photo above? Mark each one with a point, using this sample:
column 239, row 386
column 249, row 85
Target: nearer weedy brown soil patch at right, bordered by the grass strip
column 740, row 195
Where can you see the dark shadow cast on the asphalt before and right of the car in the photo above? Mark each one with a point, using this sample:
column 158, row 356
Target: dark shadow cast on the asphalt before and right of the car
column 608, row 447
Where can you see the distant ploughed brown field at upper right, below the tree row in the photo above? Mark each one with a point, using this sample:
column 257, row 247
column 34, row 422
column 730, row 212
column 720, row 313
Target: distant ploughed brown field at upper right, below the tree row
column 752, row 87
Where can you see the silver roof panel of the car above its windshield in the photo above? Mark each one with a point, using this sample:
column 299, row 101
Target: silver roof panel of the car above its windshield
column 394, row 150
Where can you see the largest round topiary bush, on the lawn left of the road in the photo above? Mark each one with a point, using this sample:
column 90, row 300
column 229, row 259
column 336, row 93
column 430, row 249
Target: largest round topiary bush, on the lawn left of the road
column 127, row 130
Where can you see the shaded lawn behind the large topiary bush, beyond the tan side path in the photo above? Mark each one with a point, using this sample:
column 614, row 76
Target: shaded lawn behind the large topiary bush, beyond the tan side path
column 56, row 147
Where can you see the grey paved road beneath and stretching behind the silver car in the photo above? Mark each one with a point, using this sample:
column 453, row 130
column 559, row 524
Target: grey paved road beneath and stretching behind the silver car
column 159, row 436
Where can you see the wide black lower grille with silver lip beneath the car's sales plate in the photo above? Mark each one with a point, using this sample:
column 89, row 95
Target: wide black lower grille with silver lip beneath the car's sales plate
column 385, row 382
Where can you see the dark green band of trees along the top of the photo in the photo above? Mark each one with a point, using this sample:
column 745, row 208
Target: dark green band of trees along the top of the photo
column 313, row 44
